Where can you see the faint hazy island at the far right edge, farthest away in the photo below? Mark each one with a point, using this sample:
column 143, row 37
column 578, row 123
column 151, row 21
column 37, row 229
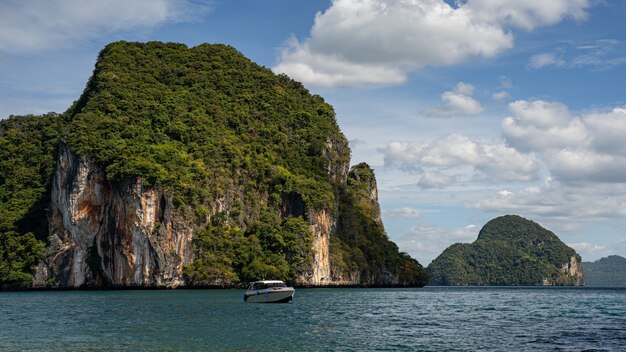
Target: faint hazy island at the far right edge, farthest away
column 606, row 272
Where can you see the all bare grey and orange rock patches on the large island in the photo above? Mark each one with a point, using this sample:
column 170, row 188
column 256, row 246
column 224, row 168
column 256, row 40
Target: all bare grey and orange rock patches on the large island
column 130, row 235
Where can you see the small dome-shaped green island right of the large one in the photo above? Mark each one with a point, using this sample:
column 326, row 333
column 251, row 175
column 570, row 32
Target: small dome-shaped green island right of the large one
column 509, row 251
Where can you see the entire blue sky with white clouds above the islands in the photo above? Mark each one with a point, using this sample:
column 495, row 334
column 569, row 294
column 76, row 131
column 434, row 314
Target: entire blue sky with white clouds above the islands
column 467, row 110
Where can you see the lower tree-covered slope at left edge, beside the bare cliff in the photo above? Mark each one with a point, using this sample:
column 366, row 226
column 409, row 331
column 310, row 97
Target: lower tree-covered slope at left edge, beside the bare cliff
column 27, row 159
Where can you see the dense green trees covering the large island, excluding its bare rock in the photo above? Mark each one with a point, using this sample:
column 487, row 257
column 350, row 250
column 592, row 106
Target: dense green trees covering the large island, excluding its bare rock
column 205, row 125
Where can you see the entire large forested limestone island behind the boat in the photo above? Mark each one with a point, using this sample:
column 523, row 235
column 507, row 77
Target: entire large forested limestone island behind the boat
column 190, row 167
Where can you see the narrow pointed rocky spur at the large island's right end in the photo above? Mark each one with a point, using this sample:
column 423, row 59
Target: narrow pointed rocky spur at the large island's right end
column 360, row 250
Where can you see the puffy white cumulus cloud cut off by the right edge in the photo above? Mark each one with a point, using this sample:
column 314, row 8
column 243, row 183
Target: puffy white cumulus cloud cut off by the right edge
column 588, row 148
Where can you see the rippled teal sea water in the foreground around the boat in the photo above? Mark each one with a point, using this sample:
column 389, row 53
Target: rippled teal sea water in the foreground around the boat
column 428, row 319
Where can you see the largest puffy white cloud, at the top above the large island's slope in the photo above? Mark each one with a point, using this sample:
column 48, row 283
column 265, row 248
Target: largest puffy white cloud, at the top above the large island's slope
column 378, row 42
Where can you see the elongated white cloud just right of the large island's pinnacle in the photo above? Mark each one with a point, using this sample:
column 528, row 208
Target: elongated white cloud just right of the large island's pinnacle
column 488, row 161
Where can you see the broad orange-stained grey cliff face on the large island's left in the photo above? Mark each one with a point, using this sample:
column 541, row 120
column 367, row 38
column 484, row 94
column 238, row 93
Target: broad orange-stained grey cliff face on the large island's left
column 112, row 235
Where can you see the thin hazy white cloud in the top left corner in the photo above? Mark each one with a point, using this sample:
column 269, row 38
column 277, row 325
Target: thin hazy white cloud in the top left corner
column 32, row 25
